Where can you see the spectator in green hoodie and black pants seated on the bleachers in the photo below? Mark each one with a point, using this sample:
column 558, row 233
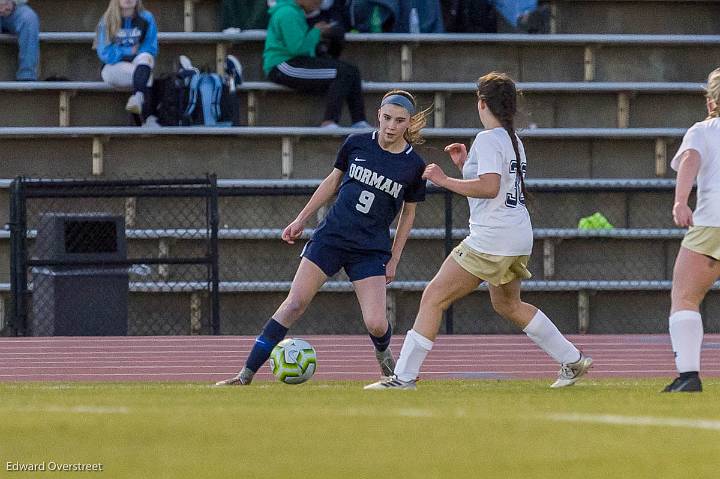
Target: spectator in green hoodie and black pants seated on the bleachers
column 289, row 59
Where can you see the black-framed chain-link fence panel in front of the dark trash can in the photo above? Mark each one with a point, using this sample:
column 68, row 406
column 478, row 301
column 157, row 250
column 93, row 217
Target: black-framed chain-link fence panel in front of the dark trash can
column 108, row 258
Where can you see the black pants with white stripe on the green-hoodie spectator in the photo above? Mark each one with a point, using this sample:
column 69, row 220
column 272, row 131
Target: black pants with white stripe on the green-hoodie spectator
column 338, row 80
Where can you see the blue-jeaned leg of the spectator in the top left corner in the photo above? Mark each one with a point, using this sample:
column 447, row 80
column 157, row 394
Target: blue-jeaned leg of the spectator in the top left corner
column 18, row 18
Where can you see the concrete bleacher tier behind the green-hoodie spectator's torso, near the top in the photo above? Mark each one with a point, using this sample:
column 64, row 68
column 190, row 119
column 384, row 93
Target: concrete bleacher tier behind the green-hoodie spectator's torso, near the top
column 404, row 57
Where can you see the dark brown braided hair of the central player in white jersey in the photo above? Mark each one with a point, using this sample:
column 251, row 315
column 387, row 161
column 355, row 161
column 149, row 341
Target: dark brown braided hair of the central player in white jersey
column 499, row 93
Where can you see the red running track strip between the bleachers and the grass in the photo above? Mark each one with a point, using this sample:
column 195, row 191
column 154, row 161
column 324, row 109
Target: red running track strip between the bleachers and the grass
column 211, row 358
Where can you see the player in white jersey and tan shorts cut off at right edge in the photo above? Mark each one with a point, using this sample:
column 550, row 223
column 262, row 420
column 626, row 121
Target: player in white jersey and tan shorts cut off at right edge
column 698, row 262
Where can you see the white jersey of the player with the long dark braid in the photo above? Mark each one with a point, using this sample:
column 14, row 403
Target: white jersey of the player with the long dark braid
column 501, row 225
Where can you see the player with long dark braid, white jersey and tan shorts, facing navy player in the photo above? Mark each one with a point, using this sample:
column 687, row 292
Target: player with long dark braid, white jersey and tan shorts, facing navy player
column 499, row 245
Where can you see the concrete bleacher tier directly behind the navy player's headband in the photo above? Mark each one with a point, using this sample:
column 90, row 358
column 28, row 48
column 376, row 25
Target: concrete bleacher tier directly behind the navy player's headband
column 544, row 105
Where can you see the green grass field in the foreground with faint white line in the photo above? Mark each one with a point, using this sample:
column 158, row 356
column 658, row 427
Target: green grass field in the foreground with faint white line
column 445, row 429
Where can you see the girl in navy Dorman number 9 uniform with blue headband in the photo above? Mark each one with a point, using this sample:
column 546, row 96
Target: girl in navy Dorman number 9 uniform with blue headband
column 376, row 176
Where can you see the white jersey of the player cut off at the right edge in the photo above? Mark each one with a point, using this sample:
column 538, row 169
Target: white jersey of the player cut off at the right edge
column 704, row 137
